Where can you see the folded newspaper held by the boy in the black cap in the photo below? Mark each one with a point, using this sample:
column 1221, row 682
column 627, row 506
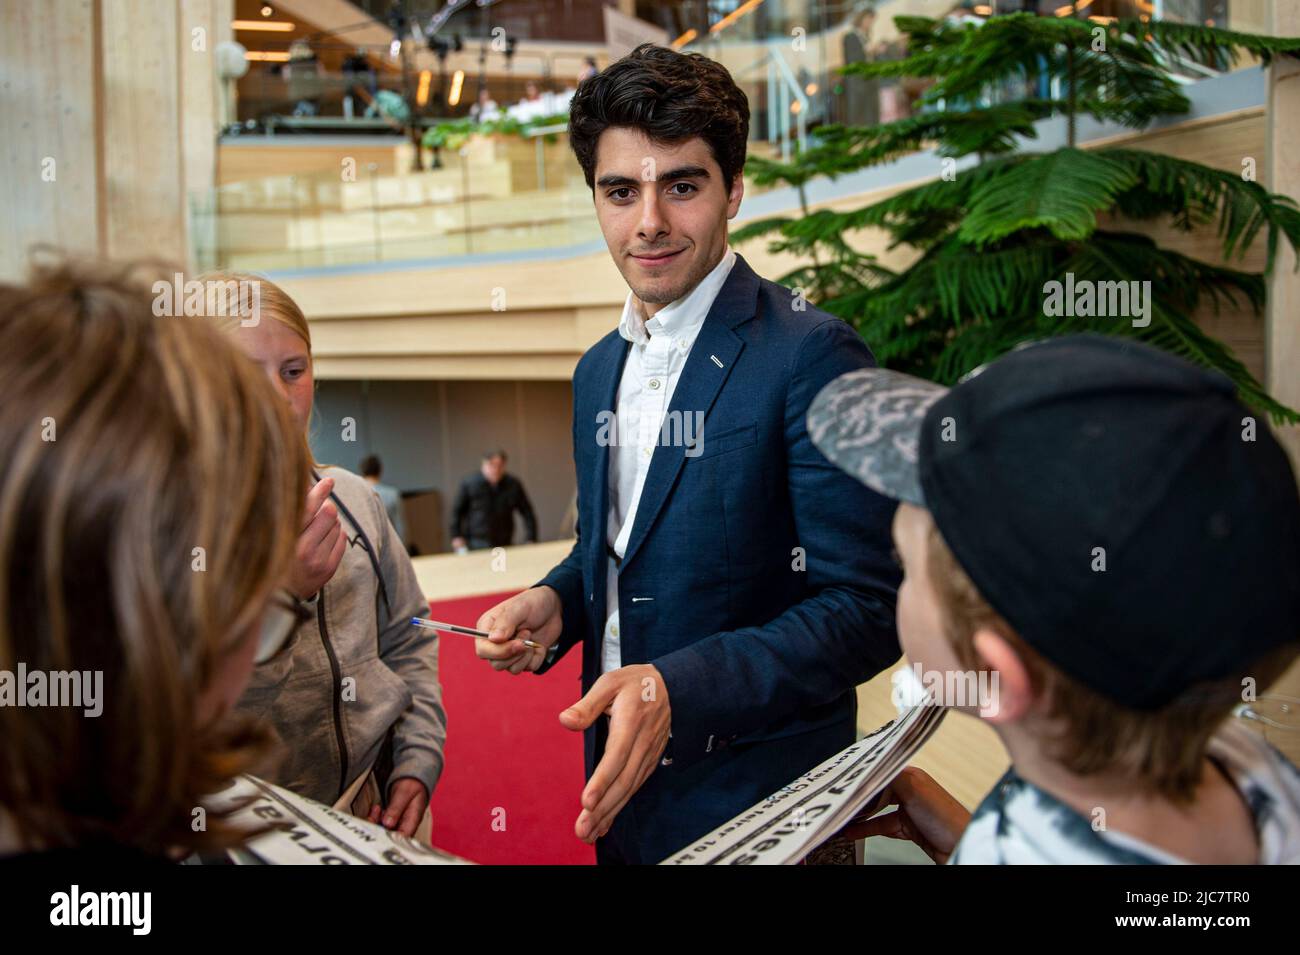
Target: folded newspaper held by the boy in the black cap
column 786, row 827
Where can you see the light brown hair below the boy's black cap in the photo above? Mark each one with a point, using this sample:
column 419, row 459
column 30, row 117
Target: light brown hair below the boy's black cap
column 1160, row 752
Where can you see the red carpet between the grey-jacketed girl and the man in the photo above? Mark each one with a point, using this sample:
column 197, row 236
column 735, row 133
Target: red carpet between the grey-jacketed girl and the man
column 510, row 788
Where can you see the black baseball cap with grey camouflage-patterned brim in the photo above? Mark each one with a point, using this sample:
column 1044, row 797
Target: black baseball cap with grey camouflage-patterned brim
column 1117, row 506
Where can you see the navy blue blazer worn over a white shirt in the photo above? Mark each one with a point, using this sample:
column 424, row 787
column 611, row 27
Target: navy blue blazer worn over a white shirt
column 759, row 578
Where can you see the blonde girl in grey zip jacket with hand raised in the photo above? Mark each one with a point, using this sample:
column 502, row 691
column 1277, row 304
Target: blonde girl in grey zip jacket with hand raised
column 357, row 702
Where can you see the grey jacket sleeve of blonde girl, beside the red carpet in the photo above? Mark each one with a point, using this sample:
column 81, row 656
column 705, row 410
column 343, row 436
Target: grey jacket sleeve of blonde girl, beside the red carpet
column 421, row 733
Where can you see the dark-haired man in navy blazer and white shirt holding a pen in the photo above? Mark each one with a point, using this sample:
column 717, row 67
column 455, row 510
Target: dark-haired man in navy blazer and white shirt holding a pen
column 720, row 588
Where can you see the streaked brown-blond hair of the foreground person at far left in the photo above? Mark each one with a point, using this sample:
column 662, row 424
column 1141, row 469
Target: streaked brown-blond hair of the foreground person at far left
column 151, row 487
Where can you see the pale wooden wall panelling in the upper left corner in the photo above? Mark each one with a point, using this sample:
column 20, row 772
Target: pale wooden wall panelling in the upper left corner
column 115, row 95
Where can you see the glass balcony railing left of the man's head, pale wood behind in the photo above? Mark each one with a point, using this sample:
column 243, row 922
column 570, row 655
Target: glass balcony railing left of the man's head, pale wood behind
column 488, row 197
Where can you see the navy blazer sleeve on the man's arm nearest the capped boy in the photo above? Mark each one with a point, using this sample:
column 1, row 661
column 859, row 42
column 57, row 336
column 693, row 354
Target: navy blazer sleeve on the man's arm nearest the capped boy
column 843, row 633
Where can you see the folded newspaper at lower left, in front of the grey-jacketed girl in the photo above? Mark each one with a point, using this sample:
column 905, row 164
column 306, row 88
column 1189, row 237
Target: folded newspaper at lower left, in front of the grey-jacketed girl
column 311, row 834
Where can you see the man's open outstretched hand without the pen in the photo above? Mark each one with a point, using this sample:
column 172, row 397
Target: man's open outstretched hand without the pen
column 636, row 701
